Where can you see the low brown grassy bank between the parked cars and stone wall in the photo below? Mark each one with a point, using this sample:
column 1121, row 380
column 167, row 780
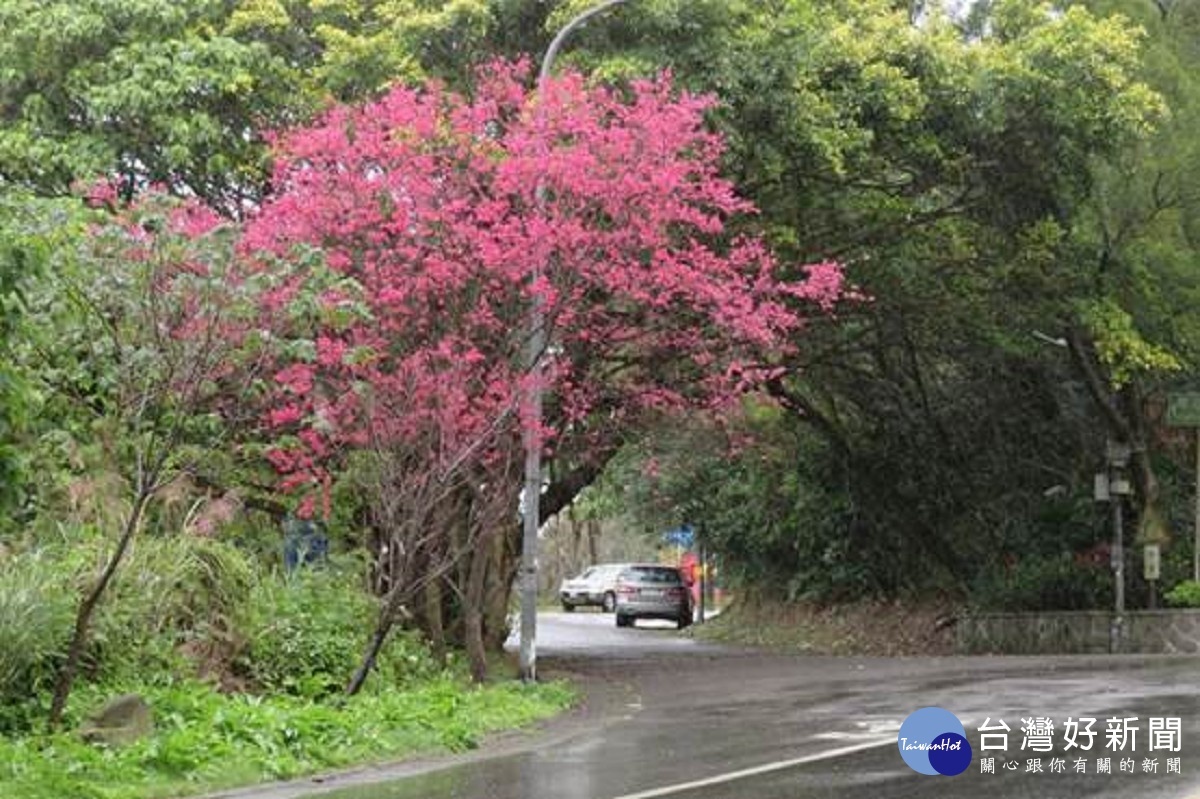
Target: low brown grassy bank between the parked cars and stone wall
column 869, row 629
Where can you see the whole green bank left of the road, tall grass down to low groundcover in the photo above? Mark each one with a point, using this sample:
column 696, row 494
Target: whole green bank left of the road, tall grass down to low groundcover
column 242, row 666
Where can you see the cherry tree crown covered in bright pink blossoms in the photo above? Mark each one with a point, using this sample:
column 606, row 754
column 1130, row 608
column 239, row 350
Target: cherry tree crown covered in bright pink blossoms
column 397, row 257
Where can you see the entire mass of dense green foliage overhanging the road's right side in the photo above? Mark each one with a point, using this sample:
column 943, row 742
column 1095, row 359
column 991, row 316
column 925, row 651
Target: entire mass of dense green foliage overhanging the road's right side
column 994, row 185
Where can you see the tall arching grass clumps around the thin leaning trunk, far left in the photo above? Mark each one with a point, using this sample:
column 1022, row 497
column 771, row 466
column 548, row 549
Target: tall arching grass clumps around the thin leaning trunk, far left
column 171, row 591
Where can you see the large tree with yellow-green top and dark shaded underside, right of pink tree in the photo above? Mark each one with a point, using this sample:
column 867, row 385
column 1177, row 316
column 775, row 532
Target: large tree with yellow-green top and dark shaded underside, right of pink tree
column 951, row 166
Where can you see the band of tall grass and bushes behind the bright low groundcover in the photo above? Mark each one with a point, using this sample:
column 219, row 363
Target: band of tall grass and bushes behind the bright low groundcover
column 301, row 635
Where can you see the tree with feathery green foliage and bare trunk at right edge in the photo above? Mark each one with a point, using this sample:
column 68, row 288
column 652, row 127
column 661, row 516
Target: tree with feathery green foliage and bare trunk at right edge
column 1132, row 332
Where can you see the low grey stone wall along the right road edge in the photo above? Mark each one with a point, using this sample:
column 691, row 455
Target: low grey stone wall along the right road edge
column 1077, row 633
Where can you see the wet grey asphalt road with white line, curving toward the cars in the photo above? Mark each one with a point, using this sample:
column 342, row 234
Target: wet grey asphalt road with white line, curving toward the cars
column 673, row 718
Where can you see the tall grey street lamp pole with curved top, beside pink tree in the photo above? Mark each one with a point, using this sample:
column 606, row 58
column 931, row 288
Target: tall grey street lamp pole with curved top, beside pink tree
column 532, row 496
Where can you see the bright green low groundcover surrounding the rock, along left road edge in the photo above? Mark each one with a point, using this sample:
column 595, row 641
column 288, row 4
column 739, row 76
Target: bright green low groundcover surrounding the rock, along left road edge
column 207, row 741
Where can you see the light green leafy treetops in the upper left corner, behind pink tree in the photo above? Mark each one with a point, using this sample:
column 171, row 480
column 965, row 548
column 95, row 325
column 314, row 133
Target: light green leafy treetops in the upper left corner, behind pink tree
column 181, row 94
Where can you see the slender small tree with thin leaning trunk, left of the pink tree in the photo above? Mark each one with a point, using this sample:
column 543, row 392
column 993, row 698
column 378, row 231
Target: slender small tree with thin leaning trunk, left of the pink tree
column 128, row 345
